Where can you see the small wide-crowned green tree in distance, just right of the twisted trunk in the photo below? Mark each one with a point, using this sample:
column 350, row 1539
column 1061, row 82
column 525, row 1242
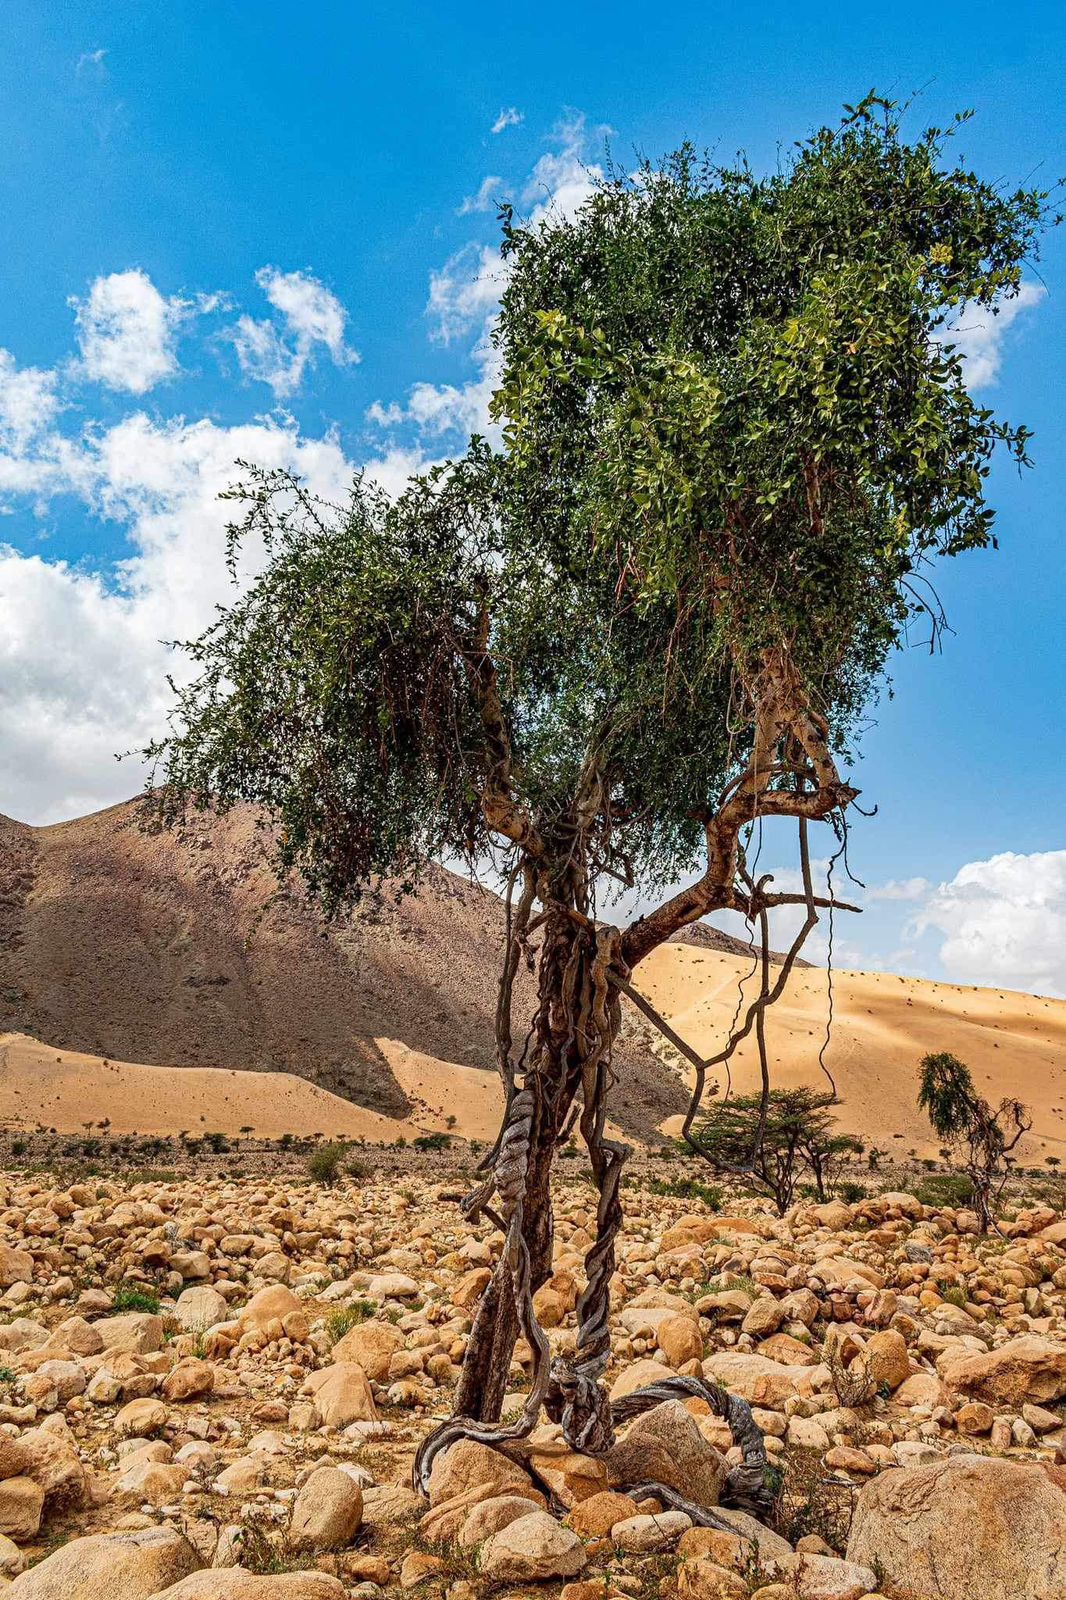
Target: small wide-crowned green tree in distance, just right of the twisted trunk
column 774, row 1140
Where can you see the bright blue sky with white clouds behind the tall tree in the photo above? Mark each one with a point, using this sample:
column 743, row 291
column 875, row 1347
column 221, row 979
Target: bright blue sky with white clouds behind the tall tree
column 236, row 230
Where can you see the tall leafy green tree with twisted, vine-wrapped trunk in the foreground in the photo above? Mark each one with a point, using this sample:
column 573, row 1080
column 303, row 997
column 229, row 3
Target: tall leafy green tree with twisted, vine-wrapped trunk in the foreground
column 734, row 434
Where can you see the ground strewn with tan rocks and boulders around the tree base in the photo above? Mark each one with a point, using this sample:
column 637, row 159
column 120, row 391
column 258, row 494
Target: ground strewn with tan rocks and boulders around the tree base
column 215, row 1386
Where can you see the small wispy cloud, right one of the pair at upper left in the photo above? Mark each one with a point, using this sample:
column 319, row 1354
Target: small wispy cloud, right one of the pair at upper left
column 311, row 316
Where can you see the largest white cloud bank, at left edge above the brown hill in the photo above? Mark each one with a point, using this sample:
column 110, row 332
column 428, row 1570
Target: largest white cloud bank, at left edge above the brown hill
column 82, row 655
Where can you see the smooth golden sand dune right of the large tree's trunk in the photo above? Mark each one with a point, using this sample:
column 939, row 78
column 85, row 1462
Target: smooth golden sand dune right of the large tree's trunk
column 1014, row 1044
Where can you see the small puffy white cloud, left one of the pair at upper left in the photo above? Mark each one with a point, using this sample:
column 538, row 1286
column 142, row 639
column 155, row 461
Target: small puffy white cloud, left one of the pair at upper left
column 127, row 332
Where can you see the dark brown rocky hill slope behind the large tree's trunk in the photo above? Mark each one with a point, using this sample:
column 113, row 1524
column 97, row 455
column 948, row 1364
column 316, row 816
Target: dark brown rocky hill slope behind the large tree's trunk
column 150, row 948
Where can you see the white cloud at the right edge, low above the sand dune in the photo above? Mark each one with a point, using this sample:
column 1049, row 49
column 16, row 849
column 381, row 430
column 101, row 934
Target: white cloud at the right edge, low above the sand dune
column 1004, row 922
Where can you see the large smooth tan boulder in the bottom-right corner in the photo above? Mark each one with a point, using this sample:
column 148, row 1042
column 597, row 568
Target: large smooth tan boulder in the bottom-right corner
column 964, row 1529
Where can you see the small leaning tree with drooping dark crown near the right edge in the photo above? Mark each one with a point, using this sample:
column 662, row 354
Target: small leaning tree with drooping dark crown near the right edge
column 968, row 1122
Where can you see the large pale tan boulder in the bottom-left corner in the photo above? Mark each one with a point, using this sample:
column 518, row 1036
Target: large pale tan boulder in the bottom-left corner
column 113, row 1566
